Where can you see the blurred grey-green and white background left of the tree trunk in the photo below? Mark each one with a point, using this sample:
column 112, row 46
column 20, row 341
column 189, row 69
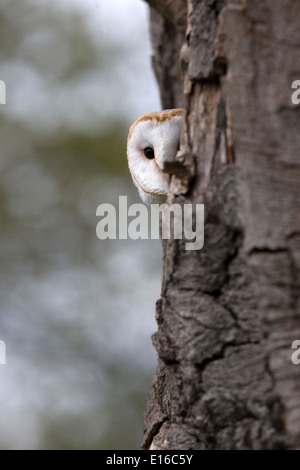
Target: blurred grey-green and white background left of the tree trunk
column 76, row 313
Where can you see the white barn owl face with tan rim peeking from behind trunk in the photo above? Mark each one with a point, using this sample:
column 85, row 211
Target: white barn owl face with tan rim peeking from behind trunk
column 153, row 140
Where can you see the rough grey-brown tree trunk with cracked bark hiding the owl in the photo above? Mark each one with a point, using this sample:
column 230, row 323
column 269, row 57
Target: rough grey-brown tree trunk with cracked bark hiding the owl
column 228, row 313
